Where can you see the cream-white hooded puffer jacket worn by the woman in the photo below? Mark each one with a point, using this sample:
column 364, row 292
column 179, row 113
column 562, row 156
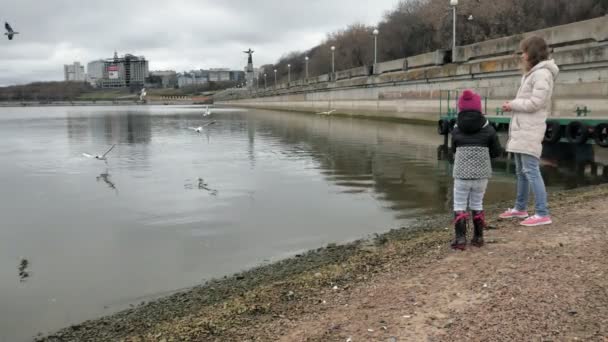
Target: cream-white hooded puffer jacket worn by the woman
column 530, row 109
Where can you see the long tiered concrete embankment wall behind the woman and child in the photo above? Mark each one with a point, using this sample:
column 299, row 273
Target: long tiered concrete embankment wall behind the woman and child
column 411, row 88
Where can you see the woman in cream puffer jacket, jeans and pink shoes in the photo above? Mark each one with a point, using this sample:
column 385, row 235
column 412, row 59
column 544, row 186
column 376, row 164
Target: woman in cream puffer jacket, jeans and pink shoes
column 530, row 109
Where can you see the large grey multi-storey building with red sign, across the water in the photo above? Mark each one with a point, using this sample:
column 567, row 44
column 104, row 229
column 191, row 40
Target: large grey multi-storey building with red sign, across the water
column 128, row 71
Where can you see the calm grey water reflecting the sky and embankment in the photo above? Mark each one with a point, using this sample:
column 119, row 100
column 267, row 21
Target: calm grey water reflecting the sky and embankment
column 265, row 186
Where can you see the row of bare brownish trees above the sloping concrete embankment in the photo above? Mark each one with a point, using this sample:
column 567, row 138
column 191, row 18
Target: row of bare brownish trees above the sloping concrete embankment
column 419, row 26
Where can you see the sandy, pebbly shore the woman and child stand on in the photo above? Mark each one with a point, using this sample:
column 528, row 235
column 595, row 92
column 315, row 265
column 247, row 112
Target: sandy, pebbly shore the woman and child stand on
column 546, row 284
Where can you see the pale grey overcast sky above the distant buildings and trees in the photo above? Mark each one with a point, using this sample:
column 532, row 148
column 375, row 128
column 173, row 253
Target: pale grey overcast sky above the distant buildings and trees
column 177, row 35
